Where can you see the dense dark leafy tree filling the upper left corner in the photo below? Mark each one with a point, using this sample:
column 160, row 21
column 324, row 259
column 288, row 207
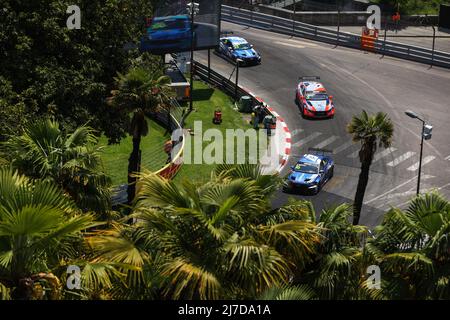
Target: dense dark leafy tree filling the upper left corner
column 51, row 70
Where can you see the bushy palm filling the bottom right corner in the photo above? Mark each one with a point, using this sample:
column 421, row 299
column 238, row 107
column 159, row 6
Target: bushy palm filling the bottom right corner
column 412, row 248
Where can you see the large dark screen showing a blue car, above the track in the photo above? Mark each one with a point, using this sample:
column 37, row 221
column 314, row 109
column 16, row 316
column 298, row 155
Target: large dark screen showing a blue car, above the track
column 171, row 29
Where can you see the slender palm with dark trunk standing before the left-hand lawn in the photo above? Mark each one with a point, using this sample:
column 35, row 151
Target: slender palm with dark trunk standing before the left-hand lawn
column 139, row 91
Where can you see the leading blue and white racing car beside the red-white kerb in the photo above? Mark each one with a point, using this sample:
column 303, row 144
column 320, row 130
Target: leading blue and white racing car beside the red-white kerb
column 311, row 173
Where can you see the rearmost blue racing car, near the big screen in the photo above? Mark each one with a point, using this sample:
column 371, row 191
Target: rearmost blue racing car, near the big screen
column 235, row 48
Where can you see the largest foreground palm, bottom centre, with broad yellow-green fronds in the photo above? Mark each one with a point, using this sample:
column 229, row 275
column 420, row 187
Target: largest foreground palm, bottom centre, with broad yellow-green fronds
column 216, row 240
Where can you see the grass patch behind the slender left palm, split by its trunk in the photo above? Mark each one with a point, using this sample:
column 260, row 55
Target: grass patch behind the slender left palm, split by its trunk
column 115, row 157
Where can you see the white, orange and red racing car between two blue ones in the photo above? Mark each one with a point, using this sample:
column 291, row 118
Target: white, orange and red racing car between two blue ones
column 312, row 99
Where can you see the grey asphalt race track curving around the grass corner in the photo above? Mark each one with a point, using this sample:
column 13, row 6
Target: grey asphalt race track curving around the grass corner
column 358, row 81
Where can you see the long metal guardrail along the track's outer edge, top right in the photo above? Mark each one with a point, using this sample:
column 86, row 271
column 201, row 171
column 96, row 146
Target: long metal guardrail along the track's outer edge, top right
column 304, row 30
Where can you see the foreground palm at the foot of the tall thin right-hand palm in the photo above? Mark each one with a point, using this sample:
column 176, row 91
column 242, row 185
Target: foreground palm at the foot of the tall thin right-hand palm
column 338, row 268
